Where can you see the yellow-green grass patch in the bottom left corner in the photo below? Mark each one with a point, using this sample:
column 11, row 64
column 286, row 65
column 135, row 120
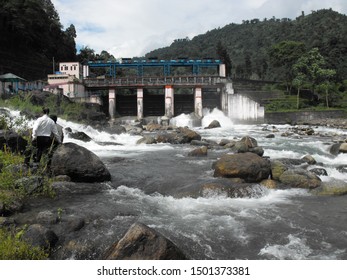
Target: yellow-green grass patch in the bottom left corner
column 13, row 248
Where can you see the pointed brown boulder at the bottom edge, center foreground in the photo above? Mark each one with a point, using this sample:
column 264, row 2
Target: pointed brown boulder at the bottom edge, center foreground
column 143, row 243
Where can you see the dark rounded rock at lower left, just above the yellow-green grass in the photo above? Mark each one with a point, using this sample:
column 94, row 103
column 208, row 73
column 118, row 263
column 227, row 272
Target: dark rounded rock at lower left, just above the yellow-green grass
column 38, row 235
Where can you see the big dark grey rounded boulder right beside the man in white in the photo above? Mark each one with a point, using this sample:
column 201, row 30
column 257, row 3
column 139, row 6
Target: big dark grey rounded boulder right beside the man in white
column 80, row 164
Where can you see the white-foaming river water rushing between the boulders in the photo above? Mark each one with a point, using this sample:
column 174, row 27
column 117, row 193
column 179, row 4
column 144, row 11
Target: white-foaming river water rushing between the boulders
column 155, row 184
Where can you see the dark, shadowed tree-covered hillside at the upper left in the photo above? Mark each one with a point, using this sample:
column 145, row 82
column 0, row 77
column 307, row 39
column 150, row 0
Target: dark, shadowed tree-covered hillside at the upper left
column 31, row 35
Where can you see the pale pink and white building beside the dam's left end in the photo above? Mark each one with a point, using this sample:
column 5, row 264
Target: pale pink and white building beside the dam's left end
column 68, row 80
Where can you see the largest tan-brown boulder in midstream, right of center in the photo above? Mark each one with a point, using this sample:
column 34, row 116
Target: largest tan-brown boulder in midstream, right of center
column 248, row 166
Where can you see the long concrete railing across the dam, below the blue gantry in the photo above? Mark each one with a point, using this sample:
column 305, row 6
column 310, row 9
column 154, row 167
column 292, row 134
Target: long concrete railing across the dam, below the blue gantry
column 155, row 81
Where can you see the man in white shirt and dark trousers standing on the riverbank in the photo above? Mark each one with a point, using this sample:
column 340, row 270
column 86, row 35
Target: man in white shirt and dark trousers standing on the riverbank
column 43, row 128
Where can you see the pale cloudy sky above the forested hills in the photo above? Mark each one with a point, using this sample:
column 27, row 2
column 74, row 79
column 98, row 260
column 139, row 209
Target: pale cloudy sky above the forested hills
column 131, row 28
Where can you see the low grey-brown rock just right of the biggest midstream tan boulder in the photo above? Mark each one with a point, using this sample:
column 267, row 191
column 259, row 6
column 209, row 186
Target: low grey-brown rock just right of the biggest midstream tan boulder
column 299, row 178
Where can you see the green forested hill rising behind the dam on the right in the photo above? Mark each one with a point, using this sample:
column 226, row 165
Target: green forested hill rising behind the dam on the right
column 248, row 44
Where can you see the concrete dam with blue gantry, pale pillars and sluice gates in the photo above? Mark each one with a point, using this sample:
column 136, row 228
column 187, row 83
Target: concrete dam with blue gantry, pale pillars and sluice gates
column 170, row 94
